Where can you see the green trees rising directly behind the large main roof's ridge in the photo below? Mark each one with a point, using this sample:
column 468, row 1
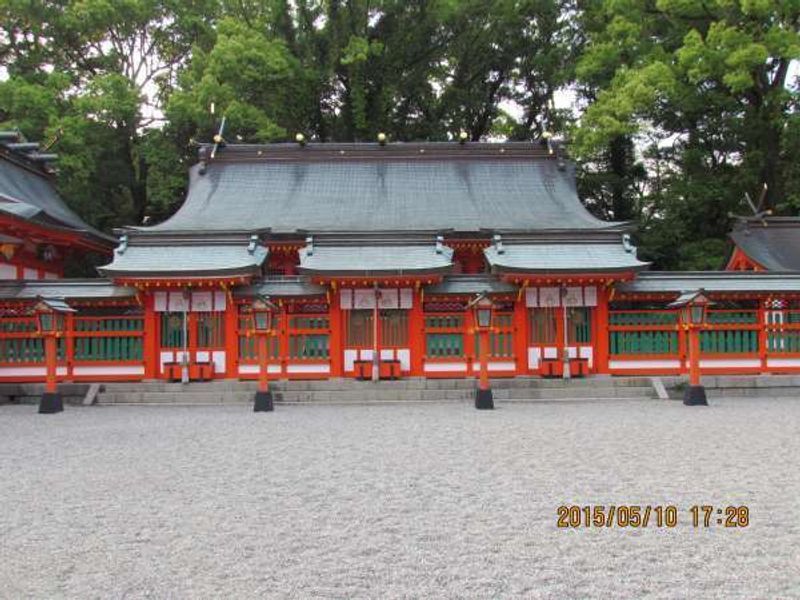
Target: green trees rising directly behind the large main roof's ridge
column 344, row 71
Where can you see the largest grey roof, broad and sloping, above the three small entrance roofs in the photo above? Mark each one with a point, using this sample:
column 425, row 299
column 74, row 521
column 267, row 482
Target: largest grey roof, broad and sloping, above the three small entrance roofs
column 362, row 190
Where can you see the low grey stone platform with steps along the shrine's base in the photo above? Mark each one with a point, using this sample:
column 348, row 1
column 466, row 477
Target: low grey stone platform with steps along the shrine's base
column 349, row 391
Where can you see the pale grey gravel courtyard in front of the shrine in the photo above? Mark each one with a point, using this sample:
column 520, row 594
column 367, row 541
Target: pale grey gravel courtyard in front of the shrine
column 402, row 501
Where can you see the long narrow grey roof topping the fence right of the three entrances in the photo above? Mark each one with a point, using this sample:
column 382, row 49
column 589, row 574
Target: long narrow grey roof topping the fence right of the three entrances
column 712, row 281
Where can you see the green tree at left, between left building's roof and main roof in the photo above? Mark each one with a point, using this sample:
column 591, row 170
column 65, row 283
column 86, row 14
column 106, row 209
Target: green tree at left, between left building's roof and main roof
column 92, row 75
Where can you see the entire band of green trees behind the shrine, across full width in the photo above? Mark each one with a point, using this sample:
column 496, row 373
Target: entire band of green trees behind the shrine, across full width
column 680, row 106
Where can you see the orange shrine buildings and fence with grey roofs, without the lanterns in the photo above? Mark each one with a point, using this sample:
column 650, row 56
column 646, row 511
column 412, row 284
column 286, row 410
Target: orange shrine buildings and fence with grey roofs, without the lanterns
column 372, row 254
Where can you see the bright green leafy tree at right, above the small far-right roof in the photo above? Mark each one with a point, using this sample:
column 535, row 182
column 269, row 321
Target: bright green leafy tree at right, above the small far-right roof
column 703, row 90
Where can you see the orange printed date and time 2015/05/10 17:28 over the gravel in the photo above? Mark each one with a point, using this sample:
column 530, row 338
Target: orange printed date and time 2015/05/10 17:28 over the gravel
column 640, row 516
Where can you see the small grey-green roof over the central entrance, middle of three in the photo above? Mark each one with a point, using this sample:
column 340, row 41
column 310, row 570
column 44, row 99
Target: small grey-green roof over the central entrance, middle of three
column 376, row 259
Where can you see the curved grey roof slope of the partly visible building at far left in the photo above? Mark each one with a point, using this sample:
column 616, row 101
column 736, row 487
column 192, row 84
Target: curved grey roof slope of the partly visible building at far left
column 28, row 194
